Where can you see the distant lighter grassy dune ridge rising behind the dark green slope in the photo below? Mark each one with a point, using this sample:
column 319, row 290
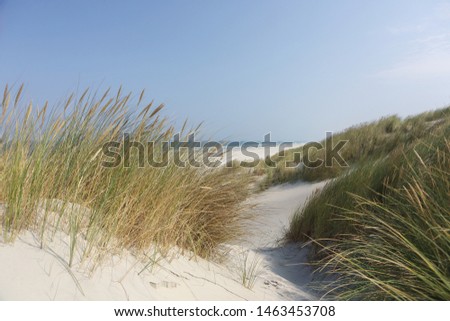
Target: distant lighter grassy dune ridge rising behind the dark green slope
column 366, row 142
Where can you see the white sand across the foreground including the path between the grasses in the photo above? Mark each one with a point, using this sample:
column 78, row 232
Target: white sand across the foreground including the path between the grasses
column 28, row 272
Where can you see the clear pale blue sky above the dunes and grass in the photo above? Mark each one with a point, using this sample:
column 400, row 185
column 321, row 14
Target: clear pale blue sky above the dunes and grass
column 296, row 69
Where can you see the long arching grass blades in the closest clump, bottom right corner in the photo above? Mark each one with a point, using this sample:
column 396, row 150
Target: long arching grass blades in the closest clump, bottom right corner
column 400, row 247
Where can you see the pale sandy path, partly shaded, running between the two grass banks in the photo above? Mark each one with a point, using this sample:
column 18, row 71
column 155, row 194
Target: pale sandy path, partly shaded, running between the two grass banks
column 282, row 265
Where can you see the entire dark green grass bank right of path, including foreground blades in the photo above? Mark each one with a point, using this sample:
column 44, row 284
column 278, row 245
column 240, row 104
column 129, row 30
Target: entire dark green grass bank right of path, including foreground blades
column 383, row 226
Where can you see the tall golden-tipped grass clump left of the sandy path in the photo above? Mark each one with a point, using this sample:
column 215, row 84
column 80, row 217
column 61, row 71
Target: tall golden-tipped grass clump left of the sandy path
column 54, row 156
